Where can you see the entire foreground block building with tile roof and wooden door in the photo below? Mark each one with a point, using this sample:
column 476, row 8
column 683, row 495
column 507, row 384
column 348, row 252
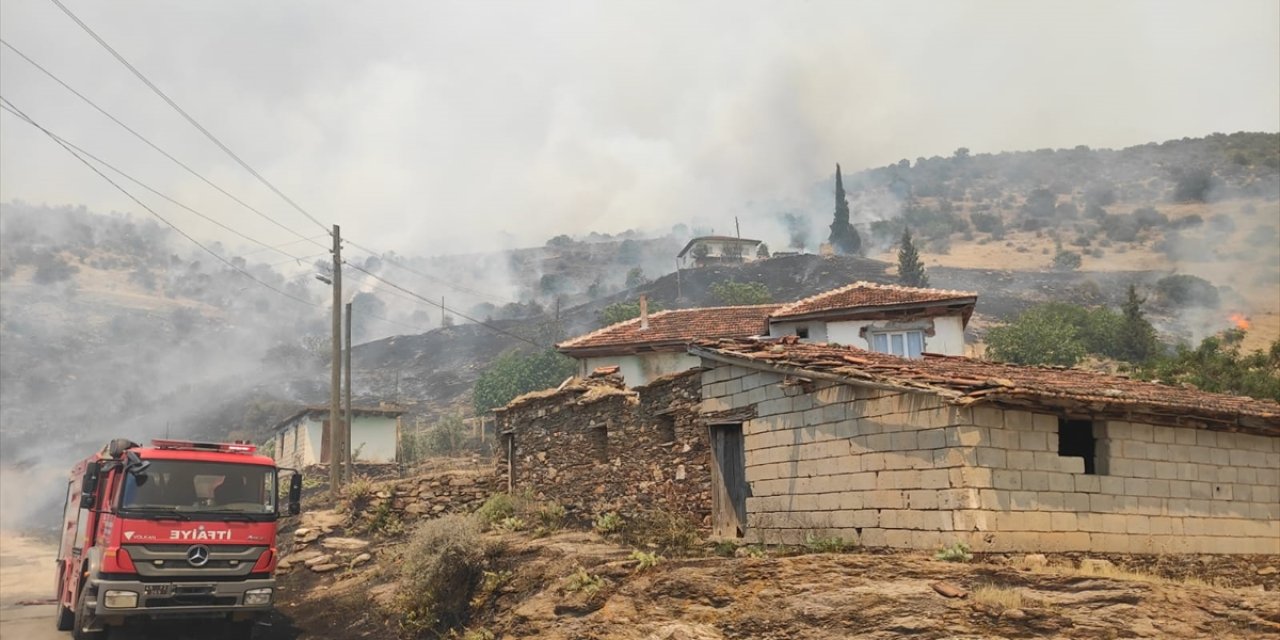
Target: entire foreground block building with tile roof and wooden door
column 921, row 454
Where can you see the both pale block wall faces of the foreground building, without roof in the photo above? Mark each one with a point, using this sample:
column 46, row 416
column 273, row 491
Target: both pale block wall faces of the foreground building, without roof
column 903, row 469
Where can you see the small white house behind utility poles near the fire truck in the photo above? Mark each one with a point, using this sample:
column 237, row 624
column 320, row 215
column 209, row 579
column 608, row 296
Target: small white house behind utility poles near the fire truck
column 303, row 438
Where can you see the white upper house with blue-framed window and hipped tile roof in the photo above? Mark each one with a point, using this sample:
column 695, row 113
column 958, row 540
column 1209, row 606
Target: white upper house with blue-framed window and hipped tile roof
column 889, row 319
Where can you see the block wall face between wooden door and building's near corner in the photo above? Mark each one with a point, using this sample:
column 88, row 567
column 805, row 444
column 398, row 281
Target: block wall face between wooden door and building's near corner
column 883, row 468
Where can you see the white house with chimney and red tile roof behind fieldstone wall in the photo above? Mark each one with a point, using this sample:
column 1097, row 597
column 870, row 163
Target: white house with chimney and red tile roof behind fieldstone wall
column 656, row 345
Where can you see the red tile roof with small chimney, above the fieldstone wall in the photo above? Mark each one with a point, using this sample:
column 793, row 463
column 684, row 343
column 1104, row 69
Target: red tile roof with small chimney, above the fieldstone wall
column 678, row 327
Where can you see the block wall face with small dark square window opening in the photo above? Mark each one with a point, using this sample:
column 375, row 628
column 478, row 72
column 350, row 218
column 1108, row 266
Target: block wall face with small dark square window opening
column 1158, row 490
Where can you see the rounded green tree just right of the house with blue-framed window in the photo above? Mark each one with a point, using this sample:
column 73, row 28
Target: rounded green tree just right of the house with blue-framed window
column 1037, row 337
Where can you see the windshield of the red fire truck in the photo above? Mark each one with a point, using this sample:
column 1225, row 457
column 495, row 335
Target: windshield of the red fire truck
column 184, row 487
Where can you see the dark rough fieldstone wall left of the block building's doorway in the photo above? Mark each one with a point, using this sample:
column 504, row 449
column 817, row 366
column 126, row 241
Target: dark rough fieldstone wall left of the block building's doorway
column 621, row 451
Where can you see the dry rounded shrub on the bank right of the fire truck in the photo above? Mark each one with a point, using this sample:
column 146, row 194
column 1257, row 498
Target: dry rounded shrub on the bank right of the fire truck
column 442, row 566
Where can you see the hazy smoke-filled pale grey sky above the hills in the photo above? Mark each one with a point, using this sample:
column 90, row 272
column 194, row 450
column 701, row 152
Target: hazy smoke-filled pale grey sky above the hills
column 436, row 126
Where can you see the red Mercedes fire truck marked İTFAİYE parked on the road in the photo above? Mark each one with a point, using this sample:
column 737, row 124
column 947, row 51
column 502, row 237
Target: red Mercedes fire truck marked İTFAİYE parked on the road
column 173, row 531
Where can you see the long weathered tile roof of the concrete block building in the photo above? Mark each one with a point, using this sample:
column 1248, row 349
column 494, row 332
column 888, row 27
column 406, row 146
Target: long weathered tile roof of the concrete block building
column 967, row 381
